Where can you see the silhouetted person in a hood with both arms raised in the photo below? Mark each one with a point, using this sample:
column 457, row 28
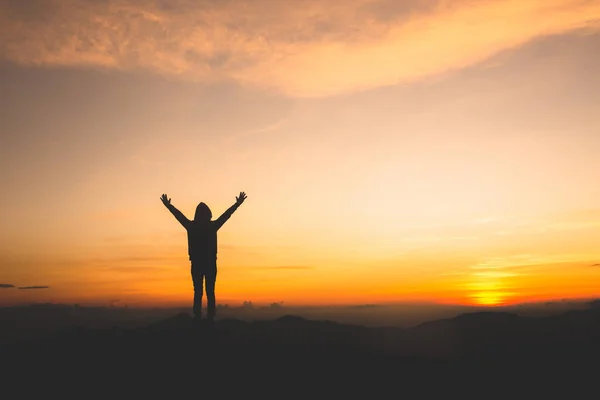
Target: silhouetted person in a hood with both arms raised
column 202, row 249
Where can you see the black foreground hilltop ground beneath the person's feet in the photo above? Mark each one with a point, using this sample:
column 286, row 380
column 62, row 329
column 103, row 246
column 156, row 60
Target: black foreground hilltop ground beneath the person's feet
column 472, row 355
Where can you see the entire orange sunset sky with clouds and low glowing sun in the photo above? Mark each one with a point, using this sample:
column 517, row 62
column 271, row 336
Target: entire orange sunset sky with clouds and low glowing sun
column 391, row 151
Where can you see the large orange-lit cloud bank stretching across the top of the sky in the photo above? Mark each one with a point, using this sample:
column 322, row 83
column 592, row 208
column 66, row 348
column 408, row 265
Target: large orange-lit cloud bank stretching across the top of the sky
column 315, row 48
